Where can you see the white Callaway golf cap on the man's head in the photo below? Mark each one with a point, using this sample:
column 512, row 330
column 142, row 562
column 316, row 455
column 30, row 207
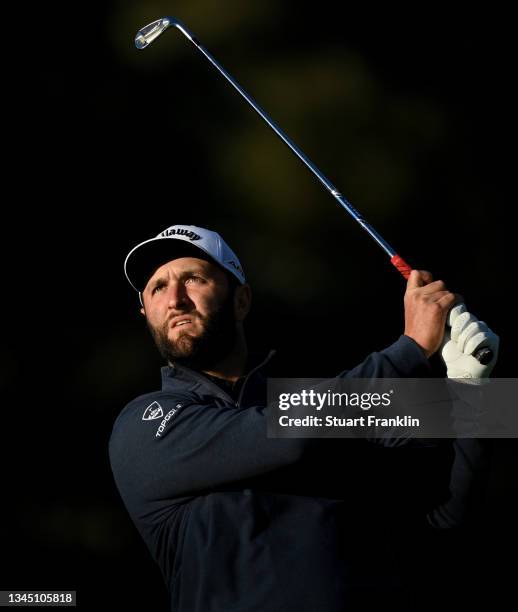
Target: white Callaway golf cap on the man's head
column 178, row 241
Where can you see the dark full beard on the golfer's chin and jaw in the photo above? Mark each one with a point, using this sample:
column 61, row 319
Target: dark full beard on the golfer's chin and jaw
column 202, row 352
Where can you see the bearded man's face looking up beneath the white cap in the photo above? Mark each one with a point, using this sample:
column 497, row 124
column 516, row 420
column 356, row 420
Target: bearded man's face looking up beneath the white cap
column 190, row 313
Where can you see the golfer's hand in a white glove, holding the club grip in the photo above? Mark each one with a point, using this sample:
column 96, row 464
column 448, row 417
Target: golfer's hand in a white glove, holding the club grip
column 464, row 335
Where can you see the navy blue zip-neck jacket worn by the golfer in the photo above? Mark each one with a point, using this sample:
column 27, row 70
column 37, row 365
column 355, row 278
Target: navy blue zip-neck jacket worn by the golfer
column 239, row 522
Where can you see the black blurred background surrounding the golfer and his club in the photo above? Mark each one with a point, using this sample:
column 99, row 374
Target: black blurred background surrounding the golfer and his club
column 408, row 113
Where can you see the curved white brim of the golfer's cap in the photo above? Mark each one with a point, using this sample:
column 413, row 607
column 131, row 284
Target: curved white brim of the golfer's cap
column 146, row 258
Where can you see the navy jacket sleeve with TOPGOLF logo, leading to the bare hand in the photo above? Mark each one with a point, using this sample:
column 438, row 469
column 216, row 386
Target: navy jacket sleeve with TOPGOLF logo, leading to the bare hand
column 203, row 446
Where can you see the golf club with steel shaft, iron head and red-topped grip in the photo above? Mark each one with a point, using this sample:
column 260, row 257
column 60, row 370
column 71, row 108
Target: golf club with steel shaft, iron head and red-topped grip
column 152, row 31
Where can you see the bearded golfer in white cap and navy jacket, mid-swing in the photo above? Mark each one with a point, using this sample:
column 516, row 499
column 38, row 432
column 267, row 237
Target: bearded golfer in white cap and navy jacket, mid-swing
column 239, row 522
